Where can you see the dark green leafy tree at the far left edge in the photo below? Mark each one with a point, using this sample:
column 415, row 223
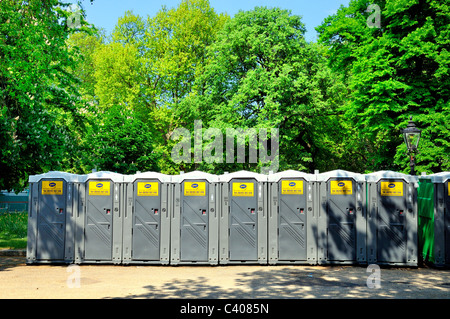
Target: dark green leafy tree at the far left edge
column 38, row 94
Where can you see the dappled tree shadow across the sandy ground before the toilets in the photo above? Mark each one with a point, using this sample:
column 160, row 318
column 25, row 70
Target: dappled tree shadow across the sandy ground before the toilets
column 301, row 283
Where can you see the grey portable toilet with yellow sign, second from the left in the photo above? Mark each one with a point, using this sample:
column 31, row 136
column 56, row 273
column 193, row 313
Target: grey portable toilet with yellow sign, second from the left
column 99, row 219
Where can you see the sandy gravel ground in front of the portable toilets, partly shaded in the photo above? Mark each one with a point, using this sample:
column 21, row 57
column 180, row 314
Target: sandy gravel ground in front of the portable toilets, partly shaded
column 18, row 280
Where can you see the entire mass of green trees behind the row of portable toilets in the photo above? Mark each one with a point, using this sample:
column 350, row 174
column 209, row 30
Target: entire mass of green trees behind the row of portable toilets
column 75, row 98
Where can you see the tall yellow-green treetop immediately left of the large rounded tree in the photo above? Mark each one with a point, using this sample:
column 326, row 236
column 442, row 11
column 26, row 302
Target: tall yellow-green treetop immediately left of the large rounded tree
column 177, row 40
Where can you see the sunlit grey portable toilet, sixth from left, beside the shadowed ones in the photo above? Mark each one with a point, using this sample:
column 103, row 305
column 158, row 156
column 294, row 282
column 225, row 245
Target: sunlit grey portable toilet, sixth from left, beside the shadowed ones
column 292, row 222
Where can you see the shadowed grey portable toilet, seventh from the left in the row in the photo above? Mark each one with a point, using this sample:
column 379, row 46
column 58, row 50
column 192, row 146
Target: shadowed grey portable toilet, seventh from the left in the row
column 342, row 218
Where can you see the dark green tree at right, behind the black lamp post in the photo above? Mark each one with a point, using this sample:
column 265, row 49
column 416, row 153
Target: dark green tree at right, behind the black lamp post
column 398, row 70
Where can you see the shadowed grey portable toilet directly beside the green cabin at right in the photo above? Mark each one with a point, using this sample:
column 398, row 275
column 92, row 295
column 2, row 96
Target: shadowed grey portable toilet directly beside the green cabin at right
column 392, row 219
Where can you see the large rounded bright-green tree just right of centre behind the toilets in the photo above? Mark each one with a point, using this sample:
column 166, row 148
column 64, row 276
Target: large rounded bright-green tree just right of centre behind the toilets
column 262, row 74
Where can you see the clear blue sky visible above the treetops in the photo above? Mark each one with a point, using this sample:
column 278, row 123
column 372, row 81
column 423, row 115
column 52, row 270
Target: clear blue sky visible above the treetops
column 105, row 13
